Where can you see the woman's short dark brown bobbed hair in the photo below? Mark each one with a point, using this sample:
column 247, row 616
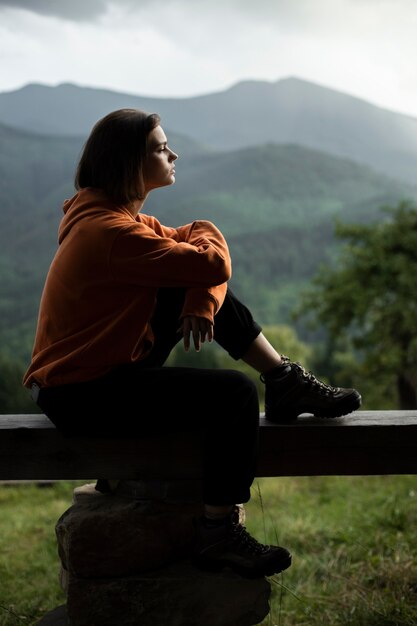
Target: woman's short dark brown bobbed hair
column 113, row 155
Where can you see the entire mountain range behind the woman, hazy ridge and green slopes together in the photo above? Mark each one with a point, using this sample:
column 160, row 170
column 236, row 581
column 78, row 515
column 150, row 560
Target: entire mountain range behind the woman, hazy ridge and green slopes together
column 276, row 199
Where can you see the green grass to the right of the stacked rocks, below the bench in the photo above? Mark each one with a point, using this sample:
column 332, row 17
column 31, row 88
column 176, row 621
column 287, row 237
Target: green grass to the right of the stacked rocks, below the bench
column 353, row 541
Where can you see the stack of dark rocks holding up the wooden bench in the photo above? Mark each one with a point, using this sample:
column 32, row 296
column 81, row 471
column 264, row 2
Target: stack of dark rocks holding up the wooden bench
column 125, row 562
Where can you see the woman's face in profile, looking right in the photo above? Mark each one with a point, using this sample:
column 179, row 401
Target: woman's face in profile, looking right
column 159, row 164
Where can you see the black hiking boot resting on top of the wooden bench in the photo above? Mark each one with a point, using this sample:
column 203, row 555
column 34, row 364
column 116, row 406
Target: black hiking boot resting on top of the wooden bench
column 290, row 390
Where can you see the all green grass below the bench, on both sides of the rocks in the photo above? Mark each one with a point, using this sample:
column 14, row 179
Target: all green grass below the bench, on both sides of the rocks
column 353, row 541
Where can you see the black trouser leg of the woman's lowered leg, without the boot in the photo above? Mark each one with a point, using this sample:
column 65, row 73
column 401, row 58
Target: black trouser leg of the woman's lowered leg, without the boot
column 222, row 405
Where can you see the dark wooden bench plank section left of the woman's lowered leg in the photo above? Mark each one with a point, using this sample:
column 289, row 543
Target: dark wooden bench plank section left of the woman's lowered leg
column 38, row 451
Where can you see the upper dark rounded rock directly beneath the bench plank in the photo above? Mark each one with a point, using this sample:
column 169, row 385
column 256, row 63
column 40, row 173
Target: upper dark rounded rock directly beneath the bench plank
column 109, row 535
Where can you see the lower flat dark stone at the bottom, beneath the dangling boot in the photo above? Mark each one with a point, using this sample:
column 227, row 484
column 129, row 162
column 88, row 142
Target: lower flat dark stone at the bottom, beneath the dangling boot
column 178, row 595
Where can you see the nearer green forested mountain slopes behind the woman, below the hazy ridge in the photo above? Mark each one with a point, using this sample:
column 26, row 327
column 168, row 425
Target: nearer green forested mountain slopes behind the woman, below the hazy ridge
column 276, row 205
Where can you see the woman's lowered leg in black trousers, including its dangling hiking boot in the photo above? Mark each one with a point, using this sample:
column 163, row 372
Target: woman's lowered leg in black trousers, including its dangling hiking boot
column 222, row 405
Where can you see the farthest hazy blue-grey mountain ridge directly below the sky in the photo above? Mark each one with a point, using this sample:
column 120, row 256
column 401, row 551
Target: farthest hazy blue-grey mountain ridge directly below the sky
column 247, row 114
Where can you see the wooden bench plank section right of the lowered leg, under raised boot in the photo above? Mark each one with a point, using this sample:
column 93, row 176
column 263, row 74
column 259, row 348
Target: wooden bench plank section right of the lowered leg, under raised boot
column 363, row 443
